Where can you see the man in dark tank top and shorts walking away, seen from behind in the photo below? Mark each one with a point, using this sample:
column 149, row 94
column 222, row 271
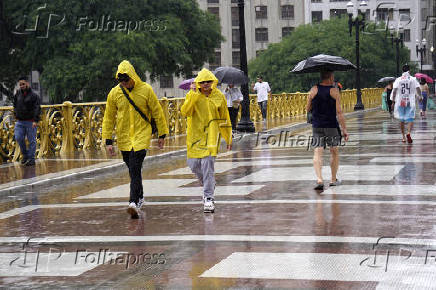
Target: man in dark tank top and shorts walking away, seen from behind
column 325, row 103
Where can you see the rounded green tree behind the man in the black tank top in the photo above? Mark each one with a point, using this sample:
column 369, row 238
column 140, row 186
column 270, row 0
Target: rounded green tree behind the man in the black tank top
column 377, row 56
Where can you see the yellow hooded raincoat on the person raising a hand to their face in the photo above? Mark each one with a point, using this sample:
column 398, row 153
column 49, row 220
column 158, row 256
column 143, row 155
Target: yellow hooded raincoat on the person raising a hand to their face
column 208, row 118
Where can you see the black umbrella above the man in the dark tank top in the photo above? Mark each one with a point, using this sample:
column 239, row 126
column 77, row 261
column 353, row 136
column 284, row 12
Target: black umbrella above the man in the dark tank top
column 322, row 62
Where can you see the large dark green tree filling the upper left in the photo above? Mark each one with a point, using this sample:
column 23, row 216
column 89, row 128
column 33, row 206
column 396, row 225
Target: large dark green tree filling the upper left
column 80, row 50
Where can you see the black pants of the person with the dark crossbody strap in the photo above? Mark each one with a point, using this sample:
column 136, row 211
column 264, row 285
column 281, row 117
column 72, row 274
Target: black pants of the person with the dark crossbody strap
column 133, row 160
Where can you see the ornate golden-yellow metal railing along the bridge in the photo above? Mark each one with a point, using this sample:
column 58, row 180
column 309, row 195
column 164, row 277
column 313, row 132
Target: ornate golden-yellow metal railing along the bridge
column 66, row 128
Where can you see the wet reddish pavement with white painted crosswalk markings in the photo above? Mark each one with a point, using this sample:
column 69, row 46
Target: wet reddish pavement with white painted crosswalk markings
column 270, row 228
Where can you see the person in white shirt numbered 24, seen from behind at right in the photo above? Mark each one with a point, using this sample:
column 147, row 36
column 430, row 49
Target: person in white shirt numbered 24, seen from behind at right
column 403, row 101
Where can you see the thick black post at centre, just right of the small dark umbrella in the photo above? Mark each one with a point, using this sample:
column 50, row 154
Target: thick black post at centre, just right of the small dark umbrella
column 245, row 124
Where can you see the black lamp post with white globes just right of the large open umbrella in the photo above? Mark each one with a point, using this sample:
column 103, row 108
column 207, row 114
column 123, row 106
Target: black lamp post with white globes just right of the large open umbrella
column 357, row 22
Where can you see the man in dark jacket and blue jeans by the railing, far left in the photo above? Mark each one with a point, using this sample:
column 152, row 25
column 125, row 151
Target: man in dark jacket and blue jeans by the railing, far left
column 27, row 110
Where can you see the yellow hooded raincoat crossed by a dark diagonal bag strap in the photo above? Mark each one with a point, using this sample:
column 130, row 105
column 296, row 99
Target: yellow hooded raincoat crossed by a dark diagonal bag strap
column 131, row 129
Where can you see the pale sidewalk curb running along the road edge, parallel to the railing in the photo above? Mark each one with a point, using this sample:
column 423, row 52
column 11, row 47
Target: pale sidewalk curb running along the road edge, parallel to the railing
column 111, row 166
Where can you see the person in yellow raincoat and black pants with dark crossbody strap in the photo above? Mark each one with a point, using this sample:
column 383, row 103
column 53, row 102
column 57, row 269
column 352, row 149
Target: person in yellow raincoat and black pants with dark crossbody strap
column 132, row 130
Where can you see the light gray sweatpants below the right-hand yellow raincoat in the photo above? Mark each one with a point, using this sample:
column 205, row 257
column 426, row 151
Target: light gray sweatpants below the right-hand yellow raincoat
column 204, row 169
